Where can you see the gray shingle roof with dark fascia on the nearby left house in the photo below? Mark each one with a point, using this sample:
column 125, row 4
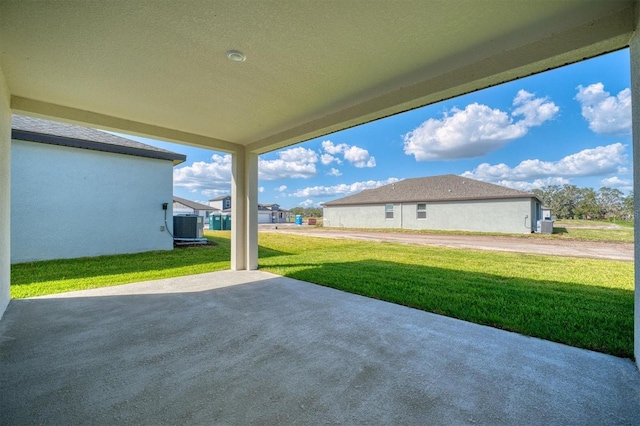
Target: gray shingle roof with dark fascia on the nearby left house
column 51, row 132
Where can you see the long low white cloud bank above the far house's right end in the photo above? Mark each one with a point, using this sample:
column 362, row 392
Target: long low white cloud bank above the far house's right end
column 589, row 162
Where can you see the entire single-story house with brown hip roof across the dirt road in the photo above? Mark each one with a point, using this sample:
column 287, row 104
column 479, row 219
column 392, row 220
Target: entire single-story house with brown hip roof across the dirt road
column 445, row 202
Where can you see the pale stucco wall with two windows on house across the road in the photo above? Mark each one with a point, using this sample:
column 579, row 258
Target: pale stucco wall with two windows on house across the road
column 508, row 216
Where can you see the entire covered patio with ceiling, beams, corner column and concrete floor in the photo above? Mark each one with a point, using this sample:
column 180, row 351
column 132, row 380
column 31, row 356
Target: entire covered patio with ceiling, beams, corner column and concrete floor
column 248, row 78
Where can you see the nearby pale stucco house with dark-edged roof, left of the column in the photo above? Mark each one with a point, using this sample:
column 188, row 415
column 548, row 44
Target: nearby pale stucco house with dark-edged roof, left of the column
column 79, row 192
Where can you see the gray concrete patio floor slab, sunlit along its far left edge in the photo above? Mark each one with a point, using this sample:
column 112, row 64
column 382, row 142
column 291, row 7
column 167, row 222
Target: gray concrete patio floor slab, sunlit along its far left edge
column 256, row 348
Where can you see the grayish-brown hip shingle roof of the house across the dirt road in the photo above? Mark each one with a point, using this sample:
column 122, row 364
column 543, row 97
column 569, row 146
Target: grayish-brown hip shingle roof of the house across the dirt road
column 432, row 188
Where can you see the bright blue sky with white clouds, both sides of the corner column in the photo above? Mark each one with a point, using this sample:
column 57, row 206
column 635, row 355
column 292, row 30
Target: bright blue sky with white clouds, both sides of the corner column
column 570, row 125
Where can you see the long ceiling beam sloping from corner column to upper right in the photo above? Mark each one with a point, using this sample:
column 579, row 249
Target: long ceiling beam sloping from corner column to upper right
column 604, row 35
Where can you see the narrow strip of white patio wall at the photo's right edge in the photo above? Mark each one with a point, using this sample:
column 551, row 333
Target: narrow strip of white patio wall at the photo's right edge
column 634, row 51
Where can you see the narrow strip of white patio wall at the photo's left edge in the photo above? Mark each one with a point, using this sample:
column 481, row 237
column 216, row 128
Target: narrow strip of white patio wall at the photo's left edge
column 5, row 194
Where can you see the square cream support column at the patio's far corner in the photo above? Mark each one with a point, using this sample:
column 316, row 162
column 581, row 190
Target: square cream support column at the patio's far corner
column 244, row 208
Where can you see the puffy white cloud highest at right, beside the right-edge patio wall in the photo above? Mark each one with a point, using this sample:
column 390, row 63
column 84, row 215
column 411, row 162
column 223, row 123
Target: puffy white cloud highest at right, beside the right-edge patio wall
column 606, row 114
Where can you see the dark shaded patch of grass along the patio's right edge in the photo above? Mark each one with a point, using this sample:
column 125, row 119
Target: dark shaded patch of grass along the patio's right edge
column 586, row 316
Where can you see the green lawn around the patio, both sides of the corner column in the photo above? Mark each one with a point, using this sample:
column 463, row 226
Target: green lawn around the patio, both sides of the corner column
column 581, row 302
